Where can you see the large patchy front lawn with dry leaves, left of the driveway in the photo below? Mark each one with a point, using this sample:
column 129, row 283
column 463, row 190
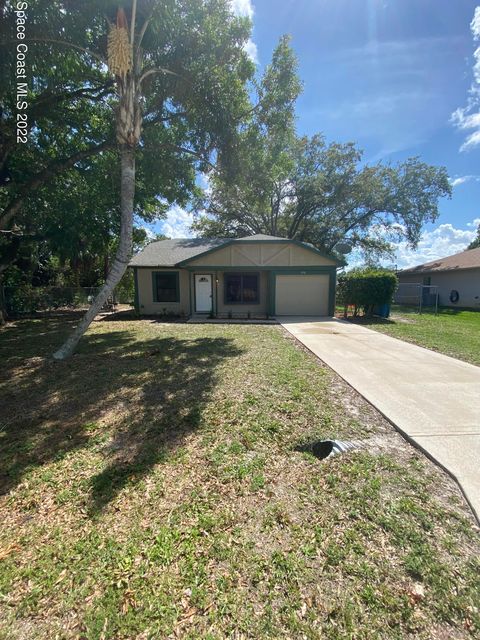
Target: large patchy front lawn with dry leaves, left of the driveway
column 151, row 488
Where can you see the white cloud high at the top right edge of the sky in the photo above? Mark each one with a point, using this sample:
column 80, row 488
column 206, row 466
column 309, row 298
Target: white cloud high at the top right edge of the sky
column 468, row 118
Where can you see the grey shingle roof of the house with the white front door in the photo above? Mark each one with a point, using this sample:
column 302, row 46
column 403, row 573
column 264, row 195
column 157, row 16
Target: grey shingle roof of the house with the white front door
column 169, row 253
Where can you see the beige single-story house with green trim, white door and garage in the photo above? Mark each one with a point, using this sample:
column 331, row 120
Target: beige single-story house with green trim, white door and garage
column 255, row 276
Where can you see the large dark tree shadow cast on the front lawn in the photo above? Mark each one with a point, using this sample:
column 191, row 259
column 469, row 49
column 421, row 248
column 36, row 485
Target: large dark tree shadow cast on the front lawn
column 152, row 391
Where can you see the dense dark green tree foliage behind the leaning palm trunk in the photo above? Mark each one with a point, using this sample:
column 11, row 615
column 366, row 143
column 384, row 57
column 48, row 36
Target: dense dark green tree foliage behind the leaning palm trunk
column 189, row 113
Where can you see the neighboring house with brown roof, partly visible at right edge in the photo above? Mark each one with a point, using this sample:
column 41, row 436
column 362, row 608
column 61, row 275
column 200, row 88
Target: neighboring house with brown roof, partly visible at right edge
column 457, row 278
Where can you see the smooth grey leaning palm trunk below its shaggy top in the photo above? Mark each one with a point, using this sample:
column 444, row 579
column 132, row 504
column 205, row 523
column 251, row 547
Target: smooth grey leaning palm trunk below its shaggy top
column 122, row 257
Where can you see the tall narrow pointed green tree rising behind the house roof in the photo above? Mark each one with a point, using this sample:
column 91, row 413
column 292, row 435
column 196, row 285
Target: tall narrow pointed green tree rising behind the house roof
column 241, row 183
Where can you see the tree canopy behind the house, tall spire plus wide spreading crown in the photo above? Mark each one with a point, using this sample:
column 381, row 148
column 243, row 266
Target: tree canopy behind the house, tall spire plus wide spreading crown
column 301, row 187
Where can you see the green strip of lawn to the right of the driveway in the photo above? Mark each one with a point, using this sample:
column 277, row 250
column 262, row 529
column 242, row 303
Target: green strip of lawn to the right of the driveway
column 455, row 333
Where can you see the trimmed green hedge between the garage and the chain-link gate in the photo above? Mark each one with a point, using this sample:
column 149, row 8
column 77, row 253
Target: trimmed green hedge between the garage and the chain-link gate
column 366, row 288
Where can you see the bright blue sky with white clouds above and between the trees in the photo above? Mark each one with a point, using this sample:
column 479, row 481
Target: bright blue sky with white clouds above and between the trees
column 399, row 77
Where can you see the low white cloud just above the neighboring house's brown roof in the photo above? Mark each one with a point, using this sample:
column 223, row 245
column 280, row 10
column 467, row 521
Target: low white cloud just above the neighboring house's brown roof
column 444, row 240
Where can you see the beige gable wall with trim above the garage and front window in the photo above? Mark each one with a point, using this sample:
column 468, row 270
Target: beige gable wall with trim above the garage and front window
column 268, row 254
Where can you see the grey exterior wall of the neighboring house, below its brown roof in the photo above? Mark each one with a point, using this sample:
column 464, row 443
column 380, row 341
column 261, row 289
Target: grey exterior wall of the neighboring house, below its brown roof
column 466, row 282
